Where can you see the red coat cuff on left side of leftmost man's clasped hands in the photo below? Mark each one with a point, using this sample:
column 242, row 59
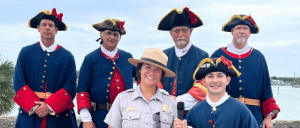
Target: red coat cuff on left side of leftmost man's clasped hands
column 25, row 98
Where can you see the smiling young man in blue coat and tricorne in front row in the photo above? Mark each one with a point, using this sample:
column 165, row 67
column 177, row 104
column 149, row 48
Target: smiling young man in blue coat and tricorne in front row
column 218, row 109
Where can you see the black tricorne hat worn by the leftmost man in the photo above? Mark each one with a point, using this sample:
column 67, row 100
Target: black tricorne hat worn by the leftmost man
column 56, row 18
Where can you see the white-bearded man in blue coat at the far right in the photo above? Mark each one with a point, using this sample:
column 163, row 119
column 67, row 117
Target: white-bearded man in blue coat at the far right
column 253, row 87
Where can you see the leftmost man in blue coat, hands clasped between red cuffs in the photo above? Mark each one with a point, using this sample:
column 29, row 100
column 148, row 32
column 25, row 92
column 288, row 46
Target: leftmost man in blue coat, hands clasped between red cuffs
column 45, row 78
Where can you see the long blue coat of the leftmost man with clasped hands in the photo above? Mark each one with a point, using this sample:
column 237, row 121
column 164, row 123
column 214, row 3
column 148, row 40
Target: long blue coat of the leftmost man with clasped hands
column 60, row 72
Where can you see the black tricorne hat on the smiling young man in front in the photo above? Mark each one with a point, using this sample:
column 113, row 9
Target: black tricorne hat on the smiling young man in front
column 221, row 64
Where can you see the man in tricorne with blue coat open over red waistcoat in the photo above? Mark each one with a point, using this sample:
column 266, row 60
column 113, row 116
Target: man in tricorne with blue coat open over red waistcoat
column 104, row 73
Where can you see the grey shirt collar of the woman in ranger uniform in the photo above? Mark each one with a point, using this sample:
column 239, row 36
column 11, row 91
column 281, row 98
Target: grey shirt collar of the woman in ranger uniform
column 138, row 93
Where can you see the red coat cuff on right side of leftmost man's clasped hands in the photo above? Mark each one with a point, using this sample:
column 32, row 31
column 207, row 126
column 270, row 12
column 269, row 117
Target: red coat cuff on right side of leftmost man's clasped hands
column 60, row 101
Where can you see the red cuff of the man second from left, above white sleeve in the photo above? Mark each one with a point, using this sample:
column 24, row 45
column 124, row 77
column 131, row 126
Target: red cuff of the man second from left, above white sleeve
column 83, row 101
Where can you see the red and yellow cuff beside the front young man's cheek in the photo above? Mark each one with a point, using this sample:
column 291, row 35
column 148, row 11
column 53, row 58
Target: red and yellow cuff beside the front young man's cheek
column 198, row 91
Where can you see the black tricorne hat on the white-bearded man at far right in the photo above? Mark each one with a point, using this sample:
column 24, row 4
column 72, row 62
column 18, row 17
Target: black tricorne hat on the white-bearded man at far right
column 241, row 20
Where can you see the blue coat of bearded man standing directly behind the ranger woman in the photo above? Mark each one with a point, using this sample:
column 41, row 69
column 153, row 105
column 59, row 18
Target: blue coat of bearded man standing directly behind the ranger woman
column 185, row 67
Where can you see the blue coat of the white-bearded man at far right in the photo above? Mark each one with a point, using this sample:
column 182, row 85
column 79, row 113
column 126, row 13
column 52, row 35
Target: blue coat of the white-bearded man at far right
column 254, row 82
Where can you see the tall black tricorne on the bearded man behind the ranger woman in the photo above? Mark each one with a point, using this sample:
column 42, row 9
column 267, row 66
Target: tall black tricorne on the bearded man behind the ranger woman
column 177, row 18
